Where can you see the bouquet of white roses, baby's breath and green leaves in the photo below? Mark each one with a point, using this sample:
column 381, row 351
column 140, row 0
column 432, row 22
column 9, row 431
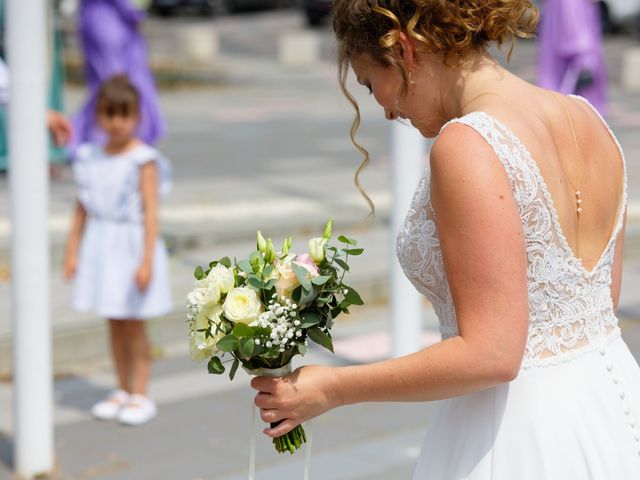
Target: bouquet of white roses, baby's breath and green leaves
column 260, row 312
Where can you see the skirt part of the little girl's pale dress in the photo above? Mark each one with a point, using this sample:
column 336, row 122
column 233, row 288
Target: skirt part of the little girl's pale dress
column 109, row 257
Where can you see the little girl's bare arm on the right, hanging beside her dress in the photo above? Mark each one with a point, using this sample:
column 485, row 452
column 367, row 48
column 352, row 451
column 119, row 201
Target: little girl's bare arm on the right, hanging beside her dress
column 149, row 193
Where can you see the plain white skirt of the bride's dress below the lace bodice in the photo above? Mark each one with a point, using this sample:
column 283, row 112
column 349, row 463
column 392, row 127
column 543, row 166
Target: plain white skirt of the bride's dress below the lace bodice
column 569, row 419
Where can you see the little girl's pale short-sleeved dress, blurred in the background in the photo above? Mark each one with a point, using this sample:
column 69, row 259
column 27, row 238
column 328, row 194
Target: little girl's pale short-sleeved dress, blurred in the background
column 112, row 245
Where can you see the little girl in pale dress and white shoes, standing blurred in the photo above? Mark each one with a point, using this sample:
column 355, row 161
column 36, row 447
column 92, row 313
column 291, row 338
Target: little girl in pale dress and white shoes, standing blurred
column 118, row 262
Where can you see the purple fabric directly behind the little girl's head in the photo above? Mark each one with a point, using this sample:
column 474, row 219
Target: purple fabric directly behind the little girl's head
column 112, row 44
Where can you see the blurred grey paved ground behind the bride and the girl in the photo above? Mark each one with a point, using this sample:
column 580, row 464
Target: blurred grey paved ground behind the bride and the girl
column 266, row 148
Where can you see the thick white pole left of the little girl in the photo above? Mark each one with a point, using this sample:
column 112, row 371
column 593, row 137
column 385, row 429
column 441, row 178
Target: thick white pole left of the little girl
column 28, row 187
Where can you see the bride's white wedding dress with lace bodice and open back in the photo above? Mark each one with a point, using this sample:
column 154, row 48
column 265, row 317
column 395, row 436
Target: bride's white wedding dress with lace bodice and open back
column 573, row 411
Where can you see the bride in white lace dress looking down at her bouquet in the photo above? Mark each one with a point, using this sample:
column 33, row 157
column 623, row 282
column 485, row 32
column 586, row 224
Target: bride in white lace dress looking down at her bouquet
column 515, row 235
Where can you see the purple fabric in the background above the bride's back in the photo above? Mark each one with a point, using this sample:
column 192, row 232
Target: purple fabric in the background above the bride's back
column 570, row 43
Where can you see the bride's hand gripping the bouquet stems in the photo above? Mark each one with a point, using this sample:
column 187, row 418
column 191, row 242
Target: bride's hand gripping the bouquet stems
column 295, row 398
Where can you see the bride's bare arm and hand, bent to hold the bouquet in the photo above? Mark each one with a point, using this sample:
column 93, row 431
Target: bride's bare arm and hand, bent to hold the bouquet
column 481, row 238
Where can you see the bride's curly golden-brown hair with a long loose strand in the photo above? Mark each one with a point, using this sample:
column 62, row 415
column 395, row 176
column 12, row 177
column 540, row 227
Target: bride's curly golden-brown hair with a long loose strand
column 450, row 29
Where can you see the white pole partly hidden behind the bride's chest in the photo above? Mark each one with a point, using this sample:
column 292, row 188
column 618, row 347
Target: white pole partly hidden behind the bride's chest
column 408, row 162
